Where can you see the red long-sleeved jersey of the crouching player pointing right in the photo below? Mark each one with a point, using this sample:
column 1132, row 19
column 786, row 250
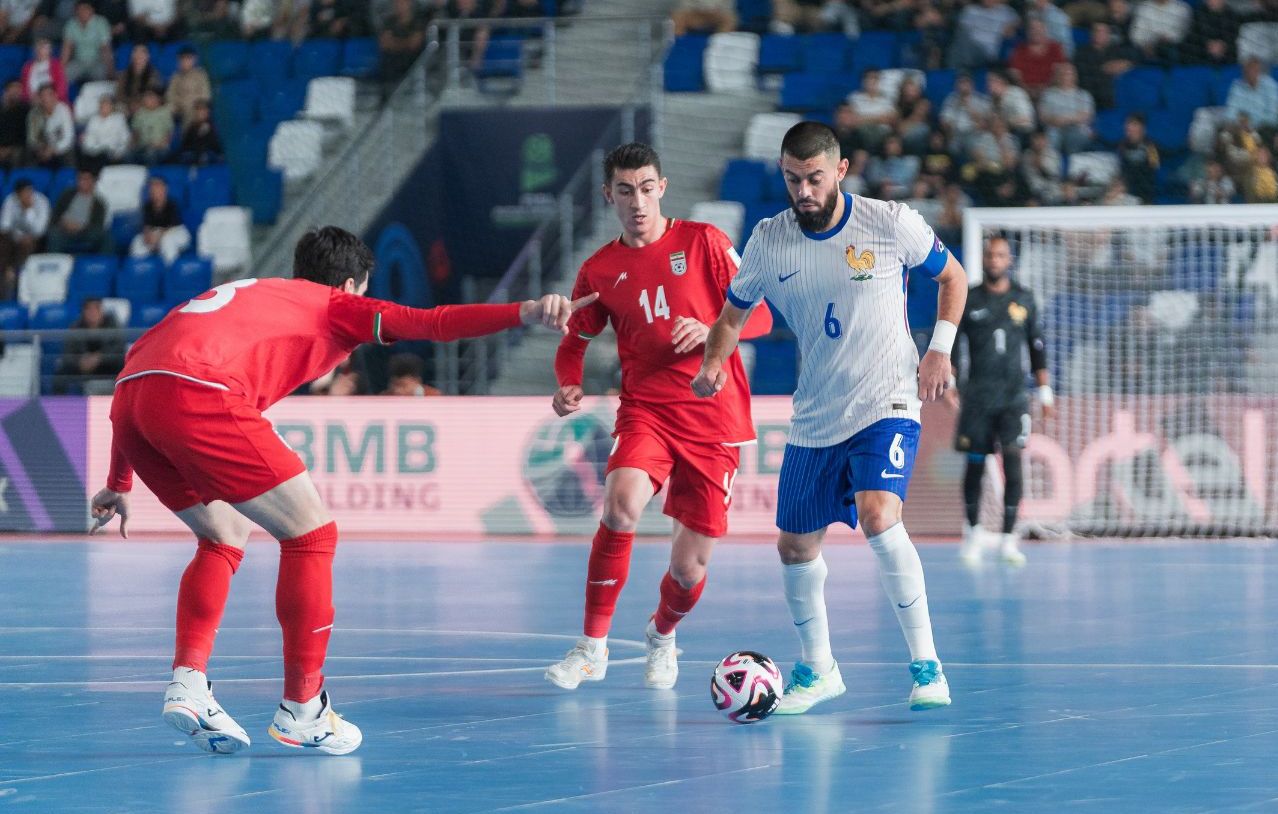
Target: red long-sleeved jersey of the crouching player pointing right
column 263, row 339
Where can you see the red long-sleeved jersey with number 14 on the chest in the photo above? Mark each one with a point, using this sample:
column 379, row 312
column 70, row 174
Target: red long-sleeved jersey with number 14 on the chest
column 642, row 292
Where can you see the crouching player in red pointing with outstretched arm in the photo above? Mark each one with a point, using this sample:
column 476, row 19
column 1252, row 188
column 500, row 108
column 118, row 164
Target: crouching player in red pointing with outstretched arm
column 187, row 417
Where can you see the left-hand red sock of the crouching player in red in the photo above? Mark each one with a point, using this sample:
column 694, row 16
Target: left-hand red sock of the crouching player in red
column 201, row 600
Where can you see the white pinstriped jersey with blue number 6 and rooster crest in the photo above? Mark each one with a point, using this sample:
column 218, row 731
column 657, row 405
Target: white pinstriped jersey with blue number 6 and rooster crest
column 843, row 293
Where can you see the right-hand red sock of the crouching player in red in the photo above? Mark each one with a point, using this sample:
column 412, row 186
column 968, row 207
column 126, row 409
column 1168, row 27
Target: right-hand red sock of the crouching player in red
column 304, row 604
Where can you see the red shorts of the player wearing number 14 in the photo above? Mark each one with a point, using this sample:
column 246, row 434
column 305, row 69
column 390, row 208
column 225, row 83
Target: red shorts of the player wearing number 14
column 701, row 473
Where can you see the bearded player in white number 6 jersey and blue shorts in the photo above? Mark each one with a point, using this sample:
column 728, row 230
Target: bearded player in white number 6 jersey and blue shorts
column 835, row 266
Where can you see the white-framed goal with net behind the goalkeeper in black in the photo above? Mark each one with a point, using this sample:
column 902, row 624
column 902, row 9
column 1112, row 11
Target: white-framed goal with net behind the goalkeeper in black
column 1162, row 335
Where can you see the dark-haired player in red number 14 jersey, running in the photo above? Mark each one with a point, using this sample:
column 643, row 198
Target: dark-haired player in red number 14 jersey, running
column 660, row 286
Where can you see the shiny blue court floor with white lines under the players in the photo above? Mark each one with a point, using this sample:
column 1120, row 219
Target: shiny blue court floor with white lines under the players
column 1101, row 678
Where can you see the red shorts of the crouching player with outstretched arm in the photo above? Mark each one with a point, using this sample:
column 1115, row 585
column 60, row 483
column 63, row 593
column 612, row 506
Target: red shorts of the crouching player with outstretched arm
column 192, row 444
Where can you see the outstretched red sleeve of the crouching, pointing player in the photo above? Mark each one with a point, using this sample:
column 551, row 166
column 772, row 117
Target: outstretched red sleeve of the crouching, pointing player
column 358, row 320
